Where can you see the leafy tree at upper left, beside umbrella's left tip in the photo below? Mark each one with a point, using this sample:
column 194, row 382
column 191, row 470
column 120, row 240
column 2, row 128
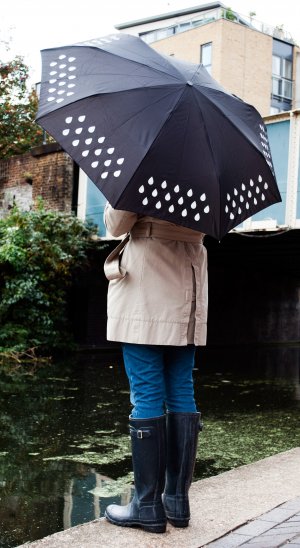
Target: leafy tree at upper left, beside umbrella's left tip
column 18, row 107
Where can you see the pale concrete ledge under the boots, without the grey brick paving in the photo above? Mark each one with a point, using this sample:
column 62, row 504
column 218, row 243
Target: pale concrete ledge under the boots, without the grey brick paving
column 218, row 505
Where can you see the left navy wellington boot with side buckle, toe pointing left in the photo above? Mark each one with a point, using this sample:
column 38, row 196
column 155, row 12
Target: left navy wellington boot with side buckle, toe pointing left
column 148, row 440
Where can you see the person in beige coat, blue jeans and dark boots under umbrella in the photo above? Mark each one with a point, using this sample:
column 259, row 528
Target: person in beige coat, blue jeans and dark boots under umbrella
column 157, row 309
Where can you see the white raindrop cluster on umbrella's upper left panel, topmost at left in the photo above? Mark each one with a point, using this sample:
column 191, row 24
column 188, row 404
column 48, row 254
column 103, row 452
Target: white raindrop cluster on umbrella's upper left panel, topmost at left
column 62, row 78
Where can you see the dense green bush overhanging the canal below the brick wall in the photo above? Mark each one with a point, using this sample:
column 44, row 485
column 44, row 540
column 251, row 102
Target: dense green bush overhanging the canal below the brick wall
column 39, row 252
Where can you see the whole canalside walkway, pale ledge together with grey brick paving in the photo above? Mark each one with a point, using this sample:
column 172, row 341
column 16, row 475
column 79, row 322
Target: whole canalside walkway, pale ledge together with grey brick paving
column 257, row 505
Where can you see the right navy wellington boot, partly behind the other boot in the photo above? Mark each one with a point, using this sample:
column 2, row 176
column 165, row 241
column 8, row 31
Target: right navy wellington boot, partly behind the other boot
column 182, row 438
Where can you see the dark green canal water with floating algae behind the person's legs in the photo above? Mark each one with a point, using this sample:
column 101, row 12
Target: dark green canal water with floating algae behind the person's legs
column 64, row 444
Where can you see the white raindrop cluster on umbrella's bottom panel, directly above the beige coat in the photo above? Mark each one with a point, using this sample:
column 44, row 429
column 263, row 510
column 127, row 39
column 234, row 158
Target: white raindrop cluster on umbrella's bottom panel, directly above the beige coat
column 175, row 200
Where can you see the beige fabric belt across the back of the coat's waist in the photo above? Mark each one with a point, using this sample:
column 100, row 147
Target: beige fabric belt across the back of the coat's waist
column 155, row 230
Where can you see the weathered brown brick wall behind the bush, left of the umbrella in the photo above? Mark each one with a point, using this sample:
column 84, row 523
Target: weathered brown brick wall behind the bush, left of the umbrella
column 46, row 171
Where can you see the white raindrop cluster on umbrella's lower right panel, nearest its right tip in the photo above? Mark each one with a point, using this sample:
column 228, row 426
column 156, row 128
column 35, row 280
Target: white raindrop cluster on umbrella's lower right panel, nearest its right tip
column 243, row 198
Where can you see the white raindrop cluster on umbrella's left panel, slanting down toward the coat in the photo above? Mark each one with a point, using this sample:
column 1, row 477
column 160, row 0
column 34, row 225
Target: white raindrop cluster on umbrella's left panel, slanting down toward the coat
column 87, row 142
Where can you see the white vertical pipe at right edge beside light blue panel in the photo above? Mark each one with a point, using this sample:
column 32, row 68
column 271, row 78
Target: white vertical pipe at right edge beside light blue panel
column 293, row 169
